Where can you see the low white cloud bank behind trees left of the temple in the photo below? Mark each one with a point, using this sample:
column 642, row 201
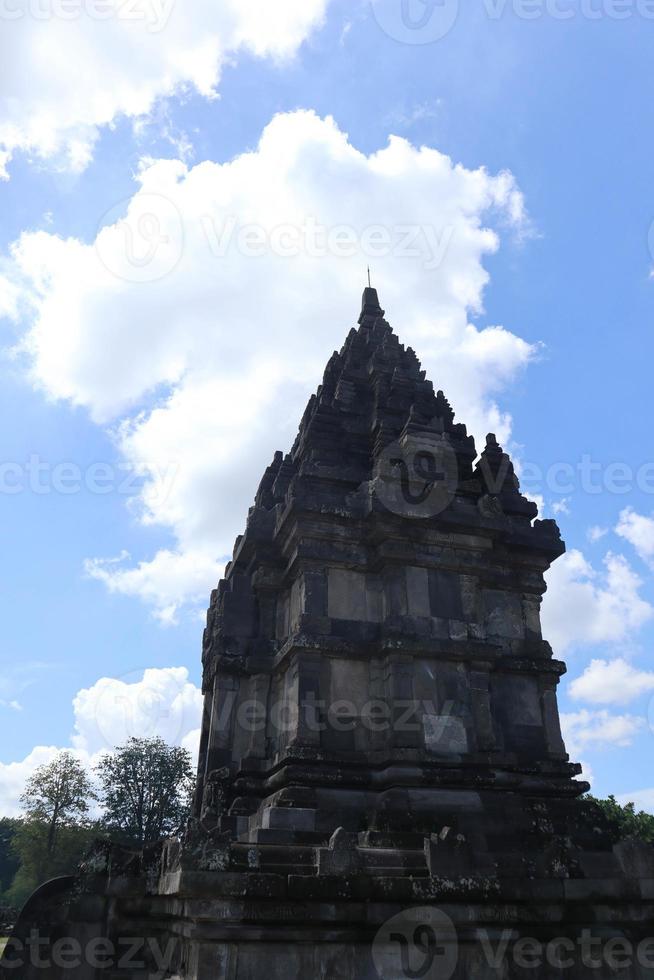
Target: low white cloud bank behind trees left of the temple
column 157, row 702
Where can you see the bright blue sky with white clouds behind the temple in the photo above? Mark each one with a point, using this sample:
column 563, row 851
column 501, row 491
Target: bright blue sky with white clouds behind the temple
column 563, row 105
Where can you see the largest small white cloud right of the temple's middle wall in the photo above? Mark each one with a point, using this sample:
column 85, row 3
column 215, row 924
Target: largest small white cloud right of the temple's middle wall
column 585, row 607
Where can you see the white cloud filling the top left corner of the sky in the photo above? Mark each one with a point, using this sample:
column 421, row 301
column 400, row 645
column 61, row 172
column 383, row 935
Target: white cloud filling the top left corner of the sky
column 138, row 53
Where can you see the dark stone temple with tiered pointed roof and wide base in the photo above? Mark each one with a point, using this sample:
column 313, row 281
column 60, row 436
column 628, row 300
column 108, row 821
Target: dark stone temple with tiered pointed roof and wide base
column 383, row 788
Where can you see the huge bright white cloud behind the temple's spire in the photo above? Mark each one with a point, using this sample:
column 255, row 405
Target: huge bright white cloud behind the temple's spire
column 199, row 321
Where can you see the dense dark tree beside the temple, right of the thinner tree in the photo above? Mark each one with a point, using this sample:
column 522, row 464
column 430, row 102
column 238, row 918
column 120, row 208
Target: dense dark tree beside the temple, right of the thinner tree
column 146, row 790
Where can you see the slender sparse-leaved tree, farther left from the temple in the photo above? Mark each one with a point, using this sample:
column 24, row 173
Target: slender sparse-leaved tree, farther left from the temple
column 58, row 795
